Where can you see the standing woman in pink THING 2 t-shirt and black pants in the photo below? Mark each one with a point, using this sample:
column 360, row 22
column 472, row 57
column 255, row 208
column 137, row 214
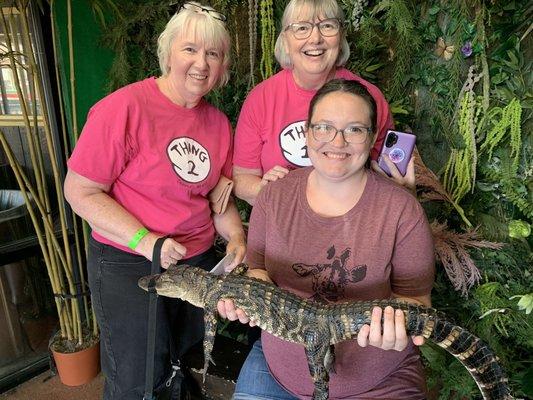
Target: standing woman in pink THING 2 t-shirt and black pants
column 149, row 155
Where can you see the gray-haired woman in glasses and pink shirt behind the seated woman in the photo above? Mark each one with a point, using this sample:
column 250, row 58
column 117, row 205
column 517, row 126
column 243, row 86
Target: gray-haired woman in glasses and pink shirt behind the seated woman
column 270, row 137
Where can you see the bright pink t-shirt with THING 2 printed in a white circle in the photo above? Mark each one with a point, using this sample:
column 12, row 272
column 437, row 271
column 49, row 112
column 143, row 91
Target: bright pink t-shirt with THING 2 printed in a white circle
column 160, row 159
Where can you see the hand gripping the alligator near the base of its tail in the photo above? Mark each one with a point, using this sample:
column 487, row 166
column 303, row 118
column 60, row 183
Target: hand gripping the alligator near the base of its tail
column 394, row 335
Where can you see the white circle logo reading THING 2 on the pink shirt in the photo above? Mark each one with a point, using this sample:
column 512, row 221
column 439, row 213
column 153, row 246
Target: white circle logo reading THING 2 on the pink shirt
column 190, row 159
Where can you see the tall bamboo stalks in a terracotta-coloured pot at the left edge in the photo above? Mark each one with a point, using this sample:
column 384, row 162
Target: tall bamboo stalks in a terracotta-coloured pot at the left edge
column 77, row 341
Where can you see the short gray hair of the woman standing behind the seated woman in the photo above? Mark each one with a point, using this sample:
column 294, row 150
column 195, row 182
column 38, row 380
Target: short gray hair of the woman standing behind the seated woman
column 317, row 8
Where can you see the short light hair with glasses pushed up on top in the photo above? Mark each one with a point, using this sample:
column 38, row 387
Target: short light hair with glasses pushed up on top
column 210, row 30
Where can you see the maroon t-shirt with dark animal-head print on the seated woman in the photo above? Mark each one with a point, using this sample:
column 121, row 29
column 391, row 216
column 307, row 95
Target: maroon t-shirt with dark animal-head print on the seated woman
column 382, row 245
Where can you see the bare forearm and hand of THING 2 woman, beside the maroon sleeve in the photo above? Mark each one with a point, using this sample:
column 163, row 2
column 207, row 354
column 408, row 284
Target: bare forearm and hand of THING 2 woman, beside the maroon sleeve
column 229, row 226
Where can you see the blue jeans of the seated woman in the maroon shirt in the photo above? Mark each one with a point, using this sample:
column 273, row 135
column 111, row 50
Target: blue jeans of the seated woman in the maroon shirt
column 255, row 381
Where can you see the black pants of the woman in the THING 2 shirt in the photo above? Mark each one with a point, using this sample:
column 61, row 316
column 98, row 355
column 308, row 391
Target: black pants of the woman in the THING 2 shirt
column 121, row 309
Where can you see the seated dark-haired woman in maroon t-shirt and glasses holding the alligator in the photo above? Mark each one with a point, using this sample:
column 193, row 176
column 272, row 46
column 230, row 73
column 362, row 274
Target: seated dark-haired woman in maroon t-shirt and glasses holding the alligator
column 370, row 240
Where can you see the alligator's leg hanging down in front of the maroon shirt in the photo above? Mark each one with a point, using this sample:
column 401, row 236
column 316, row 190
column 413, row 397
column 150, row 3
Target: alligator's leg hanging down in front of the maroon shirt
column 316, row 348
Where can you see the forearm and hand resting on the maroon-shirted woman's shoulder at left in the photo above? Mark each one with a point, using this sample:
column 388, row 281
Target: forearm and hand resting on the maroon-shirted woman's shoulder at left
column 249, row 182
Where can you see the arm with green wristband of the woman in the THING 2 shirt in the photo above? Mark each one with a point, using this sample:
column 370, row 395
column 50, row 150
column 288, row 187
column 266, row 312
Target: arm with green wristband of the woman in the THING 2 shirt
column 91, row 201
